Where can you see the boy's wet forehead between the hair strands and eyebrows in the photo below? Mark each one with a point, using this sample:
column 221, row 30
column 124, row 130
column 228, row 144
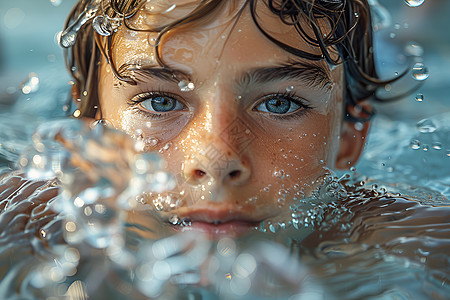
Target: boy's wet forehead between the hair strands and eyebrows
column 227, row 33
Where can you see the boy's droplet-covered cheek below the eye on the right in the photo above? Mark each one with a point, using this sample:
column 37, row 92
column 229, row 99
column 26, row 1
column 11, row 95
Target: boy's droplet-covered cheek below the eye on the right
column 295, row 157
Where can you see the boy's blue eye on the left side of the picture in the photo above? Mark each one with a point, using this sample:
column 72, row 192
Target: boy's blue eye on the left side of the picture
column 158, row 103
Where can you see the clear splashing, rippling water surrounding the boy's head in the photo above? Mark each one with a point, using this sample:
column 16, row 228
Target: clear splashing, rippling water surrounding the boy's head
column 388, row 238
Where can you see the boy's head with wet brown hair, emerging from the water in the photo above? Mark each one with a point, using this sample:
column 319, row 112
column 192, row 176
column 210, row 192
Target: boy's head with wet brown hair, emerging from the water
column 245, row 100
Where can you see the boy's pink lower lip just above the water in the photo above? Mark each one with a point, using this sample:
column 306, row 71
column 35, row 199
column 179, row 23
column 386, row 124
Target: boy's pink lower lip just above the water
column 229, row 229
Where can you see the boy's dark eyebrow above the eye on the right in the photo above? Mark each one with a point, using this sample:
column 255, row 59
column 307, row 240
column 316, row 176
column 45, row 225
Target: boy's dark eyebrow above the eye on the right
column 312, row 74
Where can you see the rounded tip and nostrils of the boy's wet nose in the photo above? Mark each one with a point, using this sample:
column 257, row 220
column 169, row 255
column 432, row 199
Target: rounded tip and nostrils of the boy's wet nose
column 221, row 166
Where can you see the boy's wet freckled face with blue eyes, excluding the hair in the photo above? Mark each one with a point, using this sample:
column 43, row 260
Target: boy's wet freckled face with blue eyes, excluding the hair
column 246, row 127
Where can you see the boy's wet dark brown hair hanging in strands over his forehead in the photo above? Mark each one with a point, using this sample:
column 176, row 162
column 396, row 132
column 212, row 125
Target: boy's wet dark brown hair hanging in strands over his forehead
column 350, row 35
